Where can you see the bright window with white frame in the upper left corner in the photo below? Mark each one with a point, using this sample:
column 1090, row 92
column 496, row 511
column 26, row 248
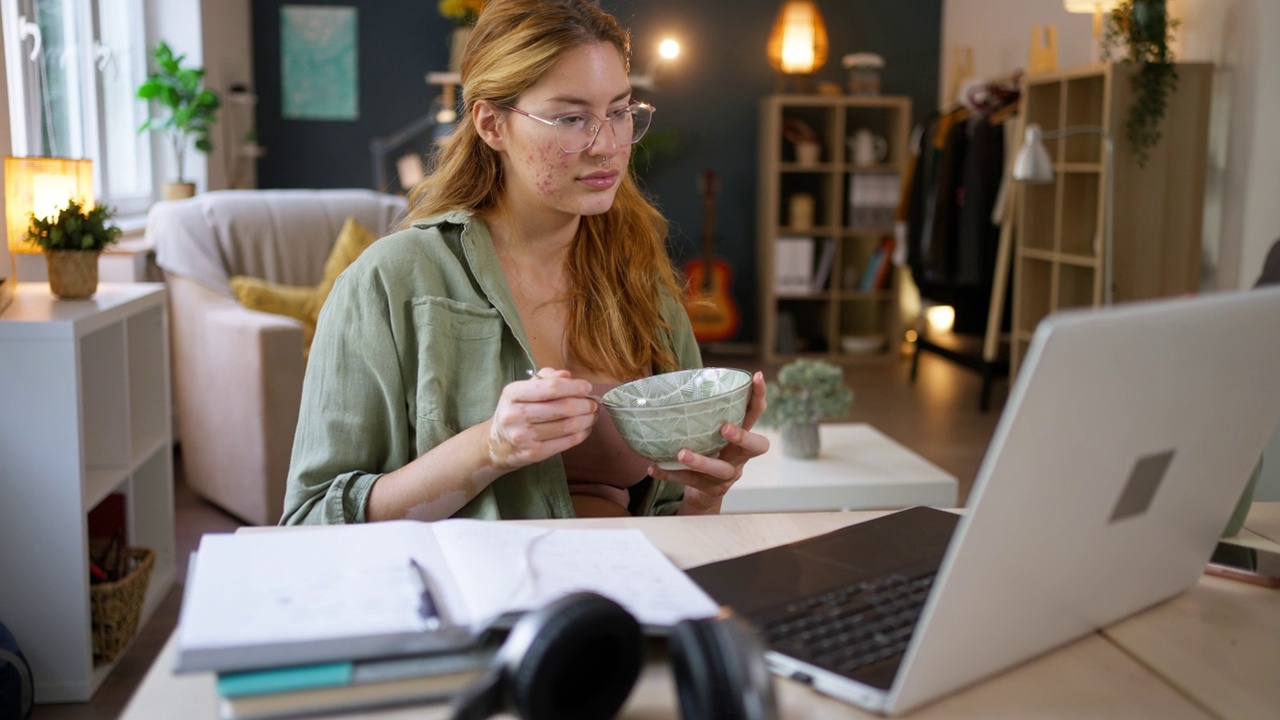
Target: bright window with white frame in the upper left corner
column 75, row 67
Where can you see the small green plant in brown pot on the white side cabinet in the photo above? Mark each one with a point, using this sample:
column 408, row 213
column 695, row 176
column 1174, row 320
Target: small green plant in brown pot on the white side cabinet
column 72, row 240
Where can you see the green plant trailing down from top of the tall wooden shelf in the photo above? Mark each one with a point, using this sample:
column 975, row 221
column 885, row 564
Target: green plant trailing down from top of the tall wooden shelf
column 1148, row 33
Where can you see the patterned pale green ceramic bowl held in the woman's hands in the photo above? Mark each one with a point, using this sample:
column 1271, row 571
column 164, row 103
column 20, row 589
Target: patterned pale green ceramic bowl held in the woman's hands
column 662, row 414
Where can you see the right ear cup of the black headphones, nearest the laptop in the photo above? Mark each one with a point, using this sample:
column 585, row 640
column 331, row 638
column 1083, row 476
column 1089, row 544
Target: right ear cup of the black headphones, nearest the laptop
column 720, row 672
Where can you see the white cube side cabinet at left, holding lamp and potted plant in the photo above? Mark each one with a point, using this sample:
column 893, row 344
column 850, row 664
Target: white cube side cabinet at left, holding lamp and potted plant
column 84, row 414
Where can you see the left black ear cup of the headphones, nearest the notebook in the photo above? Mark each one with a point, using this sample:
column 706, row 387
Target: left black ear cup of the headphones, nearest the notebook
column 582, row 664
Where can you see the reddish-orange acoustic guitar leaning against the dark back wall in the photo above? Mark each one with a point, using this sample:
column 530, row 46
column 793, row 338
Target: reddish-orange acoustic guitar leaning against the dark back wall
column 708, row 300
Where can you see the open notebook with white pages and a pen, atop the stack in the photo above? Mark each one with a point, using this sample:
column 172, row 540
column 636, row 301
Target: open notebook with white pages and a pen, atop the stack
column 353, row 593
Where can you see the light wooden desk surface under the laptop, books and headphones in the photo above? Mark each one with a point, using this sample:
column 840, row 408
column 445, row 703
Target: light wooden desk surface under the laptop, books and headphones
column 1219, row 644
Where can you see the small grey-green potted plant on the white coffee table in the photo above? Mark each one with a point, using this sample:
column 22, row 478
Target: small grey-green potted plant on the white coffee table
column 806, row 393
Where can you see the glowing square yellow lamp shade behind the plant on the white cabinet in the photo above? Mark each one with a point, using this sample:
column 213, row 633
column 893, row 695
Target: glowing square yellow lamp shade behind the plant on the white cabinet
column 42, row 186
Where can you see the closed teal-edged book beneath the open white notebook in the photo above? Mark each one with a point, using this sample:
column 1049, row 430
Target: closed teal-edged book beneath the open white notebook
column 337, row 687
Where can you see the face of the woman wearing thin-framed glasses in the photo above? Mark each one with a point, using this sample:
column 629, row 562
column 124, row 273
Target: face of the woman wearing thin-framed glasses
column 589, row 79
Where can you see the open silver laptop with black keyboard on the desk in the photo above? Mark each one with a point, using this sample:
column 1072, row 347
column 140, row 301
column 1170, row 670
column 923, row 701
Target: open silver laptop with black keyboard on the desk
column 1124, row 446
